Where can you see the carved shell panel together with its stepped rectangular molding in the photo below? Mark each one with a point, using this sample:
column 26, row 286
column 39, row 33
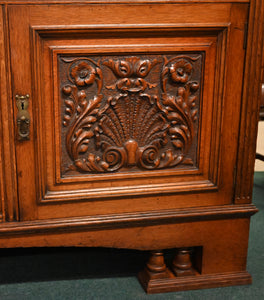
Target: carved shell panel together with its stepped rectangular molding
column 176, row 78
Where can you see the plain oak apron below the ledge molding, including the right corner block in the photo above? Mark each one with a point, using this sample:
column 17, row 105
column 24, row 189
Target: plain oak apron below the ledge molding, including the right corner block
column 218, row 260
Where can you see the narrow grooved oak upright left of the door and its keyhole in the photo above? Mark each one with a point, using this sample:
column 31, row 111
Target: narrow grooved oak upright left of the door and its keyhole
column 10, row 202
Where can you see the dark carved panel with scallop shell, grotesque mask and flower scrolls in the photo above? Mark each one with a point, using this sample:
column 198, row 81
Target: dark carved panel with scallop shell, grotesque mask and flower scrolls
column 129, row 112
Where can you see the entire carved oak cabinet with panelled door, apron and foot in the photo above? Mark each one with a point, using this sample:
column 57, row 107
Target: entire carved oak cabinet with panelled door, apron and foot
column 132, row 124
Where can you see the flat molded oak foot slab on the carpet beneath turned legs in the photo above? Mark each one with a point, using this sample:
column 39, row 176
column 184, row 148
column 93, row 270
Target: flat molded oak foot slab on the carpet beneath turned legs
column 174, row 284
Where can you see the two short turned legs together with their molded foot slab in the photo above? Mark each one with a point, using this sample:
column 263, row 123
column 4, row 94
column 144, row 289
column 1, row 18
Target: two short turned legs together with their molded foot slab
column 157, row 278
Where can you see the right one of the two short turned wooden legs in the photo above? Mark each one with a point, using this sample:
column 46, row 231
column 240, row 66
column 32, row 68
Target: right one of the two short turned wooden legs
column 182, row 264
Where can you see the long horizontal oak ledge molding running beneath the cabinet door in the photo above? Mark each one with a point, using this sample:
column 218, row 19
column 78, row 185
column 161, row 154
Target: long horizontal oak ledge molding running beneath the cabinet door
column 129, row 219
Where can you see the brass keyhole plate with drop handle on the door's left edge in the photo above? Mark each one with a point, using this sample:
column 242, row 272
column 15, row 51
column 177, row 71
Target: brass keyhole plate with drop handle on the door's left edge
column 23, row 117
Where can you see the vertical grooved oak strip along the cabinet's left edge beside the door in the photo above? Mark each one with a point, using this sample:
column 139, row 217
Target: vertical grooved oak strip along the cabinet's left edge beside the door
column 8, row 194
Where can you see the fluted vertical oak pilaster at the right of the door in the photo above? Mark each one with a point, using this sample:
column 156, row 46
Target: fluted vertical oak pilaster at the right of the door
column 250, row 104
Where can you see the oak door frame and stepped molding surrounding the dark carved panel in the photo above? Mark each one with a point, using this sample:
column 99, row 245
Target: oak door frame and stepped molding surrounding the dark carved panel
column 38, row 160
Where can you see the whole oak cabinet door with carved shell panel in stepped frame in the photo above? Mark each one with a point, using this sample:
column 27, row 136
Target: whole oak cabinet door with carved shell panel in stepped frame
column 133, row 107
